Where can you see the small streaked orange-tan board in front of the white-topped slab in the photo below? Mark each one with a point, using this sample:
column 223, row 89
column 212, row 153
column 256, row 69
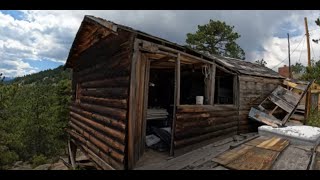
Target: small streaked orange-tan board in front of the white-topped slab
column 275, row 144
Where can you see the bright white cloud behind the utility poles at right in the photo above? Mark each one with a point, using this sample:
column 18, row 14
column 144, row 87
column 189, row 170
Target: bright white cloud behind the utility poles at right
column 276, row 49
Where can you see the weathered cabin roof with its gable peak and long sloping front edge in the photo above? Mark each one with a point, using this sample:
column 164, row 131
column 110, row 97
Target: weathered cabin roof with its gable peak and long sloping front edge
column 236, row 65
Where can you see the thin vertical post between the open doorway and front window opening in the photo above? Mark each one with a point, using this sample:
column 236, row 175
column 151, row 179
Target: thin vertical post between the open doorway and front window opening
column 176, row 102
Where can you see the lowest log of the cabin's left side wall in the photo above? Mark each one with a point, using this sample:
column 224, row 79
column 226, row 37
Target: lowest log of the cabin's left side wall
column 99, row 145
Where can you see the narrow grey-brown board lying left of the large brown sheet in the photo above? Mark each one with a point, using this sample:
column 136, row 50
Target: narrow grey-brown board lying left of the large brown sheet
column 231, row 155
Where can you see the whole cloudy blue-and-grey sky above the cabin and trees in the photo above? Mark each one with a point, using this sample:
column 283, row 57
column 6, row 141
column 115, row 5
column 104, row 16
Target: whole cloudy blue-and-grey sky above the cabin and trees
column 31, row 41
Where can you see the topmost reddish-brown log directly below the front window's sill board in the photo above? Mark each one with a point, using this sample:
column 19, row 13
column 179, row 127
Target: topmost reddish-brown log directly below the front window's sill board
column 204, row 116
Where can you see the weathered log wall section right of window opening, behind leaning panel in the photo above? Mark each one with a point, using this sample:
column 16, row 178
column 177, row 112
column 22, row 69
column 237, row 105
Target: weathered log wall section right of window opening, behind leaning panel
column 253, row 90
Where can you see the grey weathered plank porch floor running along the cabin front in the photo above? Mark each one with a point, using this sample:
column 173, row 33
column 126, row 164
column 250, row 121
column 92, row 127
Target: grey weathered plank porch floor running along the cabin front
column 200, row 158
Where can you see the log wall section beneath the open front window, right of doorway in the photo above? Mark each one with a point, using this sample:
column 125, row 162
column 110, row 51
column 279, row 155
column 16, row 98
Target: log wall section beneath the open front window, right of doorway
column 196, row 123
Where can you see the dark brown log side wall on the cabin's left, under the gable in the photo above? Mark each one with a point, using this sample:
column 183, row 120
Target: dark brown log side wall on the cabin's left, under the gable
column 98, row 114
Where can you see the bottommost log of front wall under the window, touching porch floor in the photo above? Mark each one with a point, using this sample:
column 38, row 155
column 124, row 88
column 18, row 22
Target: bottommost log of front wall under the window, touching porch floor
column 184, row 142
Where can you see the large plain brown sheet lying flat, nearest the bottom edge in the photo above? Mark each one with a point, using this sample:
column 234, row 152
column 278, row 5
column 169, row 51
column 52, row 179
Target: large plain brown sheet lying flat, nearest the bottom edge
column 255, row 159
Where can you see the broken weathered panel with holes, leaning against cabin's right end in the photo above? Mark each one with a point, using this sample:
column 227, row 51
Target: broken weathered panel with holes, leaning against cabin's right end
column 286, row 99
